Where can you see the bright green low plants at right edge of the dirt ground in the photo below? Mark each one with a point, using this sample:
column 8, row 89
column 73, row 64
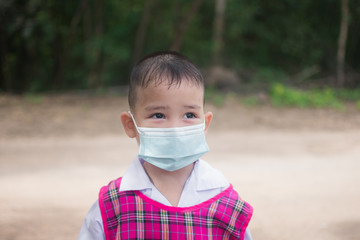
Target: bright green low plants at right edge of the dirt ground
column 281, row 95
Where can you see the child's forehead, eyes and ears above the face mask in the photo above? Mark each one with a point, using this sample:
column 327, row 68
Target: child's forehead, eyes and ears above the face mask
column 164, row 107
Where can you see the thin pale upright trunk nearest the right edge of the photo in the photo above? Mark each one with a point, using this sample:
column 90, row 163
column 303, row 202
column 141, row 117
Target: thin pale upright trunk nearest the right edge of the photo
column 342, row 43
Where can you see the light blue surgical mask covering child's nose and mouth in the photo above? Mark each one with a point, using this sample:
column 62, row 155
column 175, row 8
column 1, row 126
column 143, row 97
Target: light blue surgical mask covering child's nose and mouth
column 172, row 148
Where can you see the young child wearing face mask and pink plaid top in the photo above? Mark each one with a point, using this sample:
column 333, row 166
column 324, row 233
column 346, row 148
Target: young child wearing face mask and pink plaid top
column 168, row 192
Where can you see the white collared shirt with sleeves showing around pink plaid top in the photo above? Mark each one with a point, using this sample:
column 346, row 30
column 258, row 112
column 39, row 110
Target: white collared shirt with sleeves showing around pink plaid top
column 203, row 183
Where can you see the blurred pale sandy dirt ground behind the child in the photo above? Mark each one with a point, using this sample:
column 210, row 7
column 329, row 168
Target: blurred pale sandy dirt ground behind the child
column 298, row 168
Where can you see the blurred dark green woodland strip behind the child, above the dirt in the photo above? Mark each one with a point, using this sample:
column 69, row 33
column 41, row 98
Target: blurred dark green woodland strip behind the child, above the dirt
column 90, row 44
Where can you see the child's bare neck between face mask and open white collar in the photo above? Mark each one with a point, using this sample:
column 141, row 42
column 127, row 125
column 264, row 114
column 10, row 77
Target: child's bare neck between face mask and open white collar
column 170, row 184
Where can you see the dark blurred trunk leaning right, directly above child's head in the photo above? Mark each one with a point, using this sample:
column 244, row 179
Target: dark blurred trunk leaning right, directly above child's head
column 180, row 33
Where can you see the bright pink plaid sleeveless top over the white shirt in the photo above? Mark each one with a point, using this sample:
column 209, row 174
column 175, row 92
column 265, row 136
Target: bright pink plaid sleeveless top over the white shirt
column 132, row 215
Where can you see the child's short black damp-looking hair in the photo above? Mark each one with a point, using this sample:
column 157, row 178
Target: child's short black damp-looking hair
column 159, row 67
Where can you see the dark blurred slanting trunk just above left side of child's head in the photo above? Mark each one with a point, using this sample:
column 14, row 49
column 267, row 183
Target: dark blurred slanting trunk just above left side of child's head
column 141, row 31
